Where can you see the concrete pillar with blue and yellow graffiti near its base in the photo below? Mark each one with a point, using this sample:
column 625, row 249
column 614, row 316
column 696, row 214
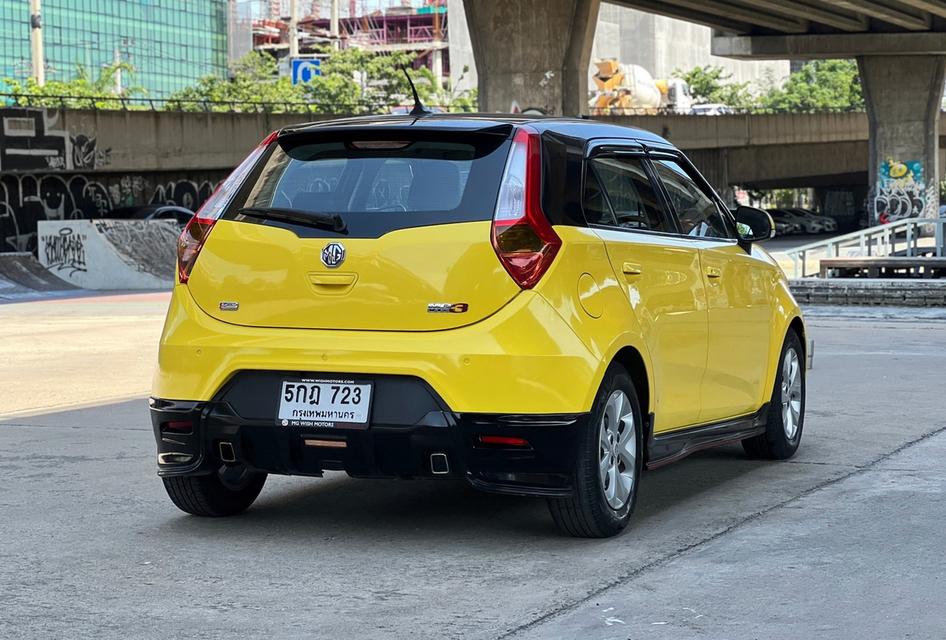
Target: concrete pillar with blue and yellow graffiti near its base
column 903, row 95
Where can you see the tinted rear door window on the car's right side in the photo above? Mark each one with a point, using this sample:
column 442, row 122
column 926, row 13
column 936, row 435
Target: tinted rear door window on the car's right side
column 625, row 196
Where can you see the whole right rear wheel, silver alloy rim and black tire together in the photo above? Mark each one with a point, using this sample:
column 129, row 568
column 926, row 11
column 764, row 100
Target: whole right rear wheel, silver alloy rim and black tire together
column 608, row 467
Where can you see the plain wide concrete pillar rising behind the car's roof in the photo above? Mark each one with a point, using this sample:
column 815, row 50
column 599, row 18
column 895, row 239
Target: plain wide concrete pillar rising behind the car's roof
column 532, row 53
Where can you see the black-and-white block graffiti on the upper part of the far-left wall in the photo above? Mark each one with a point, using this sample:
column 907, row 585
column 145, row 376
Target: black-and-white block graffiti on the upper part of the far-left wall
column 32, row 140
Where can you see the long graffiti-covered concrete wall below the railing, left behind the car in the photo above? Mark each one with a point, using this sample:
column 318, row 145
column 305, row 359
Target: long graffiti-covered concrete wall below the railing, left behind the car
column 68, row 164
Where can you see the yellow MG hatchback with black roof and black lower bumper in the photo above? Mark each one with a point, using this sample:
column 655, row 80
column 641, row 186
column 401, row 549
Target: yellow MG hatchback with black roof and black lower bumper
column 541, row 306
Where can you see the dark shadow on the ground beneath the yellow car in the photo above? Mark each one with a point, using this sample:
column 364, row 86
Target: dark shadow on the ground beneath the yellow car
column 343, row 507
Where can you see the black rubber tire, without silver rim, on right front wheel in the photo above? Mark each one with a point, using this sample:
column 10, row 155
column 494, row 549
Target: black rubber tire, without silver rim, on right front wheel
column 775, row 443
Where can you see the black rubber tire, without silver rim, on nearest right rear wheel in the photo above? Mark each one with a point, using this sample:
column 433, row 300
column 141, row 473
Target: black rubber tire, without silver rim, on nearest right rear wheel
column 587, row 513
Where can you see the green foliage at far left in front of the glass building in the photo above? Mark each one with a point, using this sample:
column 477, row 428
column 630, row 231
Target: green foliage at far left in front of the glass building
column 81, row 92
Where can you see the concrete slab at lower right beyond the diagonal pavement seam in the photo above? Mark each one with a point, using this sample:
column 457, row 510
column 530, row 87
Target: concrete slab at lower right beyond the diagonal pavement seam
column 861, row 557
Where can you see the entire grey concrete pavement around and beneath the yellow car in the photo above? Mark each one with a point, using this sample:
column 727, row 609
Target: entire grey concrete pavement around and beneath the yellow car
column 94, row 549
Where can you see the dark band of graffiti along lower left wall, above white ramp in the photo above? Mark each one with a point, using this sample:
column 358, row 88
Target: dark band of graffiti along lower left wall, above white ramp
column 26, row 199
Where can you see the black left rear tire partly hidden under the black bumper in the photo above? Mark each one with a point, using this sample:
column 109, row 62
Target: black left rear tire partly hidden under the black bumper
column 211, row 496
